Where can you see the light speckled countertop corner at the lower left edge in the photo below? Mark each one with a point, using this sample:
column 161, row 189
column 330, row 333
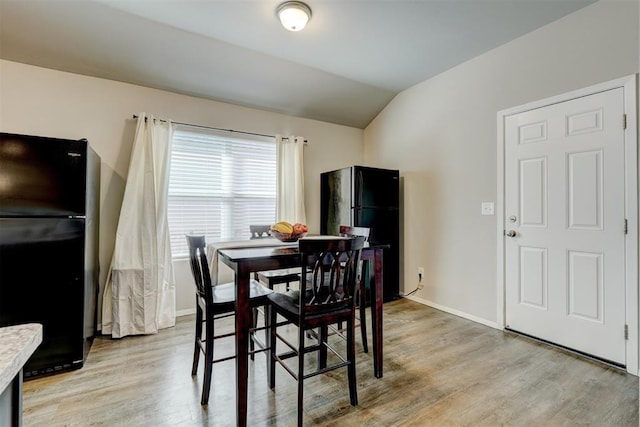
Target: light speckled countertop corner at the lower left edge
column 17, row 344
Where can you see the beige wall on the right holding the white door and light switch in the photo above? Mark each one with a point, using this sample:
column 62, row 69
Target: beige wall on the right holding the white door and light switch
column 442, row 134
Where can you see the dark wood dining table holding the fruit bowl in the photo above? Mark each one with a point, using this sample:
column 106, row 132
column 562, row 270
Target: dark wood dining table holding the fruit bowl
column 246, row 260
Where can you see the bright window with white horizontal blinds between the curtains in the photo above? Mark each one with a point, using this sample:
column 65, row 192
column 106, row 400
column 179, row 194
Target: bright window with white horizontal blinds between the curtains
column 219, row 184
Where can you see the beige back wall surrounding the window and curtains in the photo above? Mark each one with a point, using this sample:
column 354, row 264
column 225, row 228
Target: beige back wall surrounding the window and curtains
column 45, row 102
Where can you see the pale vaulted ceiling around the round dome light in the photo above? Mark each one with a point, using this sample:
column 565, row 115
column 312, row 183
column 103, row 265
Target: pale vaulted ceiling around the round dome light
column 353, row 57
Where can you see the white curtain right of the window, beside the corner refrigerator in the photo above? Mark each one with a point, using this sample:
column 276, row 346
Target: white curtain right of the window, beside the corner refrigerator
column 290, row 191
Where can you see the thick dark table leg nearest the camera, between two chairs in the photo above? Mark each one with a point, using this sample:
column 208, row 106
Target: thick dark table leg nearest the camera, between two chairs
column 243, row 321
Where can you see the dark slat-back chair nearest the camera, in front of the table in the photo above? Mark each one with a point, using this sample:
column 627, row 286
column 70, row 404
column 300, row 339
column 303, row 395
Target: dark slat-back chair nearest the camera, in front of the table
column 330, row 266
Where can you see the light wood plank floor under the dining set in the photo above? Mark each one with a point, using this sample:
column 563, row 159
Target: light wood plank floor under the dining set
column 439, row 370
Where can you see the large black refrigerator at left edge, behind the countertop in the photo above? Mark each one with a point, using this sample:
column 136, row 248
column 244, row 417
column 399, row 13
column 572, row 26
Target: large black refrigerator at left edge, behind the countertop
column 49, row 207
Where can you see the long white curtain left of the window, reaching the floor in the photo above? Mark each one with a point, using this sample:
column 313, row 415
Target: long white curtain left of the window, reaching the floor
column 139, row 296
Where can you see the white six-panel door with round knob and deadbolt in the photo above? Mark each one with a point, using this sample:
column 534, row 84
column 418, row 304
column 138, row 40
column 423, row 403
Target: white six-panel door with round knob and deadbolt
column 564, row 205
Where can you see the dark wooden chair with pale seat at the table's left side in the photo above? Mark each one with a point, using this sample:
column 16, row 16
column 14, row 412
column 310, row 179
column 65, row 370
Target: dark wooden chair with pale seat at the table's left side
column 212, row 304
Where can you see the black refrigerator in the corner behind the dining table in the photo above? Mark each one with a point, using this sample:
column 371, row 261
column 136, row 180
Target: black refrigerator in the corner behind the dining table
column 362, row 196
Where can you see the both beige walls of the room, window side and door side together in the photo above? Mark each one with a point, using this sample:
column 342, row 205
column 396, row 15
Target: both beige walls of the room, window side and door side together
column 441, row 134
